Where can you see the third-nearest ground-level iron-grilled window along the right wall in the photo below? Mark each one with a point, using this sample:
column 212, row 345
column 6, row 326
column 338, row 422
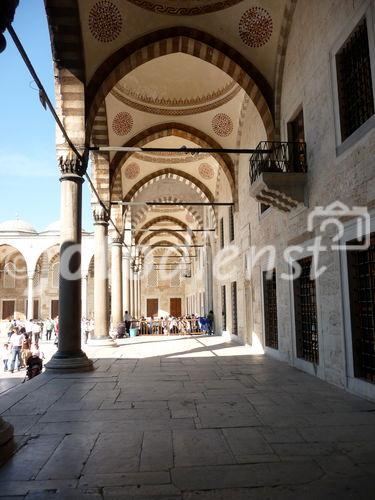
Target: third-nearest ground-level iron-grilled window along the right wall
column 270, row 310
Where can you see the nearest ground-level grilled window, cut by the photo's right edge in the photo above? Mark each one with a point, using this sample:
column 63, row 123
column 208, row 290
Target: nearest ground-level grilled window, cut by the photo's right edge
column 361, row 273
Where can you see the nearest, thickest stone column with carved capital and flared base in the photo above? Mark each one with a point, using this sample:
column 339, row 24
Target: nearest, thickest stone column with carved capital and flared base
column 69, row 356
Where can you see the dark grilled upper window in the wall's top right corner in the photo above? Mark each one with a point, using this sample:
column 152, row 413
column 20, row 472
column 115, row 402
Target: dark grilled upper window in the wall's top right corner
column 356, row 98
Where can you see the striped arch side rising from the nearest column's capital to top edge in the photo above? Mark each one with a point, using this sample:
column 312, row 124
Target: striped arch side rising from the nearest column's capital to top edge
column 65, row 31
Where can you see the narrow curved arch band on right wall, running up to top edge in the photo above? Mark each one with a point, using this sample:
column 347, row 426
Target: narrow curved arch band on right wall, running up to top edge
column 282, row 45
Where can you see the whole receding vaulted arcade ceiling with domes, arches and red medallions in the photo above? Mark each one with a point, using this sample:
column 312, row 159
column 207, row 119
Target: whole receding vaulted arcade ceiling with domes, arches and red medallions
column 167, row 74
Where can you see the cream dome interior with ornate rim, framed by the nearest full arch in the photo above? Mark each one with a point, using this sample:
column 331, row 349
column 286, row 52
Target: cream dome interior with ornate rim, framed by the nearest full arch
column 162, row 86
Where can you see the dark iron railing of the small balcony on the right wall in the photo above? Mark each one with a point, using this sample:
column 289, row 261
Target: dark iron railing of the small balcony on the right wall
column 284, row 157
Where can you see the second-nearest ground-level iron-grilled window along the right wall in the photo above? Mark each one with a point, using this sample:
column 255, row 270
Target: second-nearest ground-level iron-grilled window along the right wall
column 306, row 320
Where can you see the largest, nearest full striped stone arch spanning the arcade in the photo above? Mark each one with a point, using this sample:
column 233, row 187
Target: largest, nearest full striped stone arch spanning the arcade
column 188, row 41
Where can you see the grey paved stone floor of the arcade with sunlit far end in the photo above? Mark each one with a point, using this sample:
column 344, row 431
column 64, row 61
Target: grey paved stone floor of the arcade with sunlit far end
column 191, row 419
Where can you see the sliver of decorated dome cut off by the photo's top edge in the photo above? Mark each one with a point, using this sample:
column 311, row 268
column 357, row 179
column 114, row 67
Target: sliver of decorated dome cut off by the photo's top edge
column 184, row 7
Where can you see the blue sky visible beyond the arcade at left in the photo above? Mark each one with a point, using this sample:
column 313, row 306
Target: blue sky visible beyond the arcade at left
column 29, row 176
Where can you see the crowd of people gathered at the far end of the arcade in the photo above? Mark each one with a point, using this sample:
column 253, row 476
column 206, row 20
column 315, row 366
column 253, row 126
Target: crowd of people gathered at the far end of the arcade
column 169, row 325
